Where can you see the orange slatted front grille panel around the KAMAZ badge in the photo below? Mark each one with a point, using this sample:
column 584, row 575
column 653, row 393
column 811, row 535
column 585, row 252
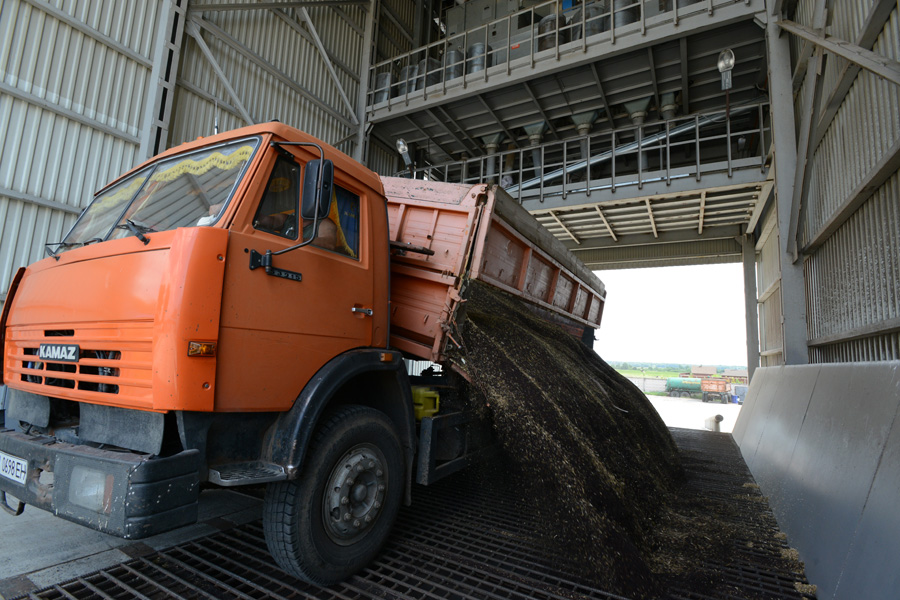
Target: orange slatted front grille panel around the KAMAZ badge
column 113, row 360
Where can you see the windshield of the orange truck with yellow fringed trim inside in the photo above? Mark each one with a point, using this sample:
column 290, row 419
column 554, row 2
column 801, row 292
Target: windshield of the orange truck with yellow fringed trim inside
column 182, row 191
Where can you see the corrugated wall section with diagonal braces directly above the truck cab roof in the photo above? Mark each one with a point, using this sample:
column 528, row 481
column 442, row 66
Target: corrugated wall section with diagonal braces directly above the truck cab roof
column 282, row 40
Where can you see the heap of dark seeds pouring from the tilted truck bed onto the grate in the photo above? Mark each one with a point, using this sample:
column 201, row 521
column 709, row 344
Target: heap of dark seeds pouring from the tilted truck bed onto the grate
column 592, row 451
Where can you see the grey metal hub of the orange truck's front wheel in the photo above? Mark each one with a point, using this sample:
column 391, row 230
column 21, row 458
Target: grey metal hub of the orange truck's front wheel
column 354, row 494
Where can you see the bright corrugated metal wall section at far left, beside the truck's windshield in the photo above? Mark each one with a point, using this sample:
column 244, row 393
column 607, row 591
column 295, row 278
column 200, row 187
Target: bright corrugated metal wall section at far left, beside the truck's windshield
column 74, row 77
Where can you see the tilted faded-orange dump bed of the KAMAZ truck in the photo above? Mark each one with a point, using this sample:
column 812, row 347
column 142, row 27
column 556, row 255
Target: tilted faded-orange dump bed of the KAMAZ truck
column 475, row 233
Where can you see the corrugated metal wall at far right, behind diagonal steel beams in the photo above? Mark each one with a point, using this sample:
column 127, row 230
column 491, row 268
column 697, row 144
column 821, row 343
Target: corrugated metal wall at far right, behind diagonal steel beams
column 852, row 278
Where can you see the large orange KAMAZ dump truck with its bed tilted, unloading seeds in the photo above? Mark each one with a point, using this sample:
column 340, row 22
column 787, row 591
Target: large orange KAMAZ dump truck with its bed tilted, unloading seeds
column 237, row 311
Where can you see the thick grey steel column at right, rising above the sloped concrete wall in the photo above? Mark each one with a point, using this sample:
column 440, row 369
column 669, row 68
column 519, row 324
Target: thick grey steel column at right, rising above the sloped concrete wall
column 793, row 292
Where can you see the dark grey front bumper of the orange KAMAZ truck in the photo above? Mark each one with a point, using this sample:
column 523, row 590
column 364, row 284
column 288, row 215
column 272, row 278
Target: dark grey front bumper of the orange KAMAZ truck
column 136, row 495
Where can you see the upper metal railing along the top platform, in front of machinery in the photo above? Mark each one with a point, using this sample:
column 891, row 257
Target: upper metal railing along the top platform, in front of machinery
column 519, row 40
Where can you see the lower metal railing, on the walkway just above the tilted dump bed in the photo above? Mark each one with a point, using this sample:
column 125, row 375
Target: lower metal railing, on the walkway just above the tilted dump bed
column 631, row 157
